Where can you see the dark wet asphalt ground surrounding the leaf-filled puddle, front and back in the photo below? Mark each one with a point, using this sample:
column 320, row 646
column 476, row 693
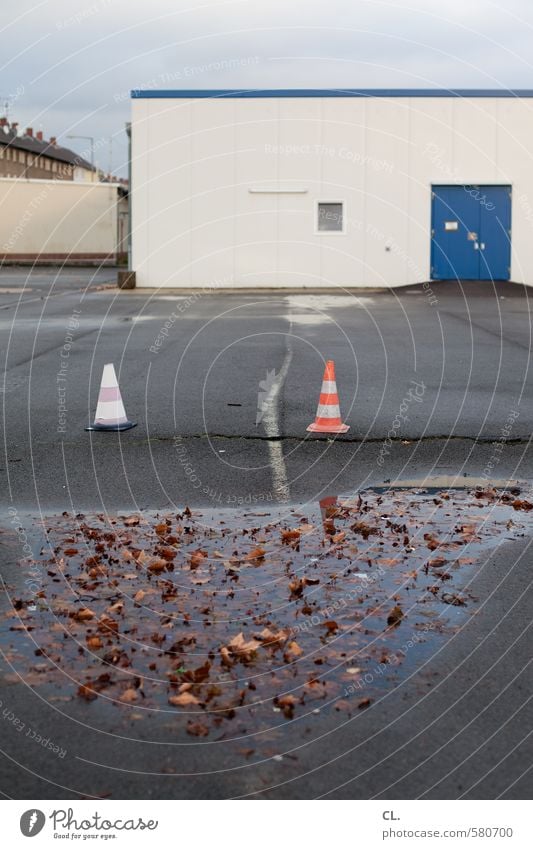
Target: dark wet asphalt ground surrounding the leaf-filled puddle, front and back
column 195, row 370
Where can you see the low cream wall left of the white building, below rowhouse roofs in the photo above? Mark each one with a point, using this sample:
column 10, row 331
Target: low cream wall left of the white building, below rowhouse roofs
column 58, row 221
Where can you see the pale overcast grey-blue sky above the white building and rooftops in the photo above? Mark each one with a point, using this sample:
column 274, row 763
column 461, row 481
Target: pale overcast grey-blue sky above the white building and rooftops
column 68, row 65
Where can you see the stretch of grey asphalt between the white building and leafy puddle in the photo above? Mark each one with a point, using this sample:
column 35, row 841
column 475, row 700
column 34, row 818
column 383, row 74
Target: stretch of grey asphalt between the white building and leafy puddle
column 191, row 370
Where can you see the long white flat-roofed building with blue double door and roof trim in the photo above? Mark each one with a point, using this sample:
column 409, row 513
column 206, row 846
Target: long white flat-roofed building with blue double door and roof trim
column 354, row 188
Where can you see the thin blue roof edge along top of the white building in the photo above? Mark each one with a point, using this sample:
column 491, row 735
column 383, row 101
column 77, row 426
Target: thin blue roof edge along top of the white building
column 331, row 92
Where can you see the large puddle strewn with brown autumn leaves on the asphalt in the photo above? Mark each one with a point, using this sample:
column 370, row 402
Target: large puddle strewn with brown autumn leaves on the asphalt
column 224, row 622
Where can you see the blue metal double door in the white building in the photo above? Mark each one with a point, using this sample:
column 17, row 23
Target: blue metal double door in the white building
column 471, row 235
